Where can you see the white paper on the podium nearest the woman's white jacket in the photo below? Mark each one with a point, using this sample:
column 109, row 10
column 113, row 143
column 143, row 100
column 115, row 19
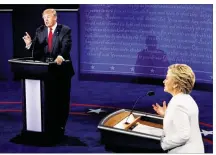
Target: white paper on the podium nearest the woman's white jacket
column 148, row 130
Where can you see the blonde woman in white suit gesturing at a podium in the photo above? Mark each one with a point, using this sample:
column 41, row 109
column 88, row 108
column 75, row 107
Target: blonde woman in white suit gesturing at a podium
column 181, row 116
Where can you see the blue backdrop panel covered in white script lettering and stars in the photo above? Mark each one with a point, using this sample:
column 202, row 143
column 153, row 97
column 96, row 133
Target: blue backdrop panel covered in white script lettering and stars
column 142, row 40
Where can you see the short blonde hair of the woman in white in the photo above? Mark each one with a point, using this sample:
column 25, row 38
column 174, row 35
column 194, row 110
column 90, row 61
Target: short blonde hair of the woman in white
column 184, row 77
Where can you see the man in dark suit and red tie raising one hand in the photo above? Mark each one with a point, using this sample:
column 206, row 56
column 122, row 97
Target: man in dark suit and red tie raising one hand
column 52, row 42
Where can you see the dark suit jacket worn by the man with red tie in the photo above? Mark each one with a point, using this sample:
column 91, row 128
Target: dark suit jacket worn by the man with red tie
column 61, row 44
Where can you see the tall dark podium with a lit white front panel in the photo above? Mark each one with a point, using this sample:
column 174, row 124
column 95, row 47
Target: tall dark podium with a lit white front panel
column 38, row 89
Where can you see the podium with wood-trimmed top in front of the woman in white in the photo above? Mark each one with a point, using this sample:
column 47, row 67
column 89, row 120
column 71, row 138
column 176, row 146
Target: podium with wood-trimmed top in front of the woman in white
column 141, row 131
